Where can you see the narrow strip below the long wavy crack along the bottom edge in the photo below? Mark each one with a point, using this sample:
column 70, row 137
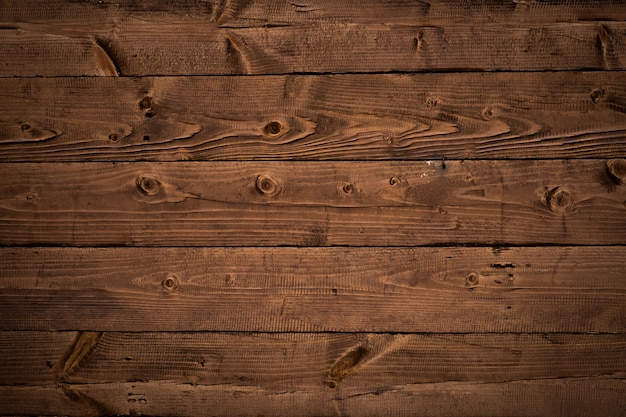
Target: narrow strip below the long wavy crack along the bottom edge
column 558, row 398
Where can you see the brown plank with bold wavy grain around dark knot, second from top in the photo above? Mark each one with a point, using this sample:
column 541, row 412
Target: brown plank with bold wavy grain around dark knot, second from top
column 340, row 117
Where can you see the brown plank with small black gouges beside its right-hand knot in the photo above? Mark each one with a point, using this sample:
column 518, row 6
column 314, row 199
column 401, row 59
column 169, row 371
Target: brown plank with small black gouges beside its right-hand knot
column 555, row 289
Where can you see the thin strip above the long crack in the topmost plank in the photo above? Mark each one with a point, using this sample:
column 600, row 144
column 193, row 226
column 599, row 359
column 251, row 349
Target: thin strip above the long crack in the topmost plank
column 261, row 13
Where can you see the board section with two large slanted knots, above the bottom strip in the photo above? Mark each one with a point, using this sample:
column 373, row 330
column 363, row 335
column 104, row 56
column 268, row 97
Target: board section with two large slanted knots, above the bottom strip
column 304, row 361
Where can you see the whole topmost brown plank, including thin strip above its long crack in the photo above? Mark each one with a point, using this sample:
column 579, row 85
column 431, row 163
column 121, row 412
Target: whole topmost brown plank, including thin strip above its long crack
column 50, row 38
